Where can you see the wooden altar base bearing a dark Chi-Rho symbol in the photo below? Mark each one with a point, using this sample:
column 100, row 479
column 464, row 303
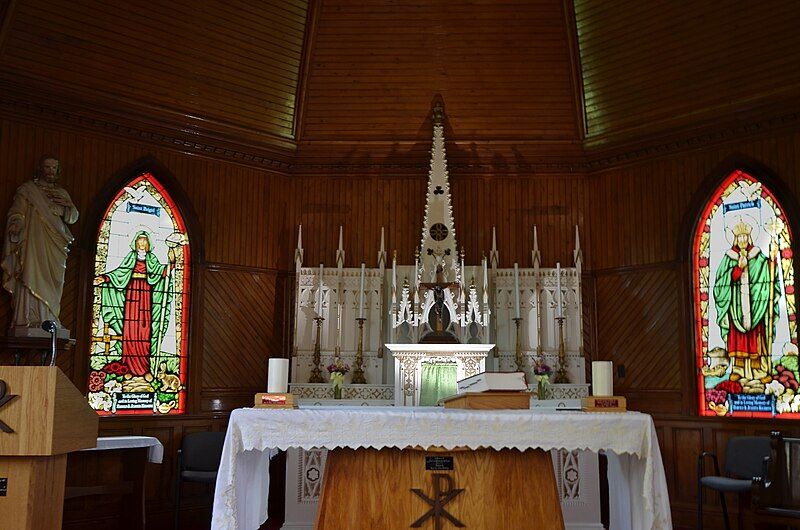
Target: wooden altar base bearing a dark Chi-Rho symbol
column 371, row 489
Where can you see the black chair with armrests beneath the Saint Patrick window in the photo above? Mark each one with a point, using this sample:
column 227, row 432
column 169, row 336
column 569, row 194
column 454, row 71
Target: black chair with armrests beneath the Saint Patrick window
column 745, row 458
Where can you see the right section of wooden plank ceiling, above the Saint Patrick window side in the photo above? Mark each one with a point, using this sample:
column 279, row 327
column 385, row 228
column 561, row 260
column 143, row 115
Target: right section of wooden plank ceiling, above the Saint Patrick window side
column 653, row 66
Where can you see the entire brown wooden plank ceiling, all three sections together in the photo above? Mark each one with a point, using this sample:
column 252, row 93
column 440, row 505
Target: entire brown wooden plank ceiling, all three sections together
column 358, row 77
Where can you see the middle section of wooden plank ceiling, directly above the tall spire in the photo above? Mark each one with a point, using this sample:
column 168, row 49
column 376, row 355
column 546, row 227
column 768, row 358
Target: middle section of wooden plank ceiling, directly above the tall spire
column 503, row 70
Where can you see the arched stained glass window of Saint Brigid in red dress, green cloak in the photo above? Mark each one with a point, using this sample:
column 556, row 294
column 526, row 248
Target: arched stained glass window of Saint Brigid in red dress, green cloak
column 140, row 304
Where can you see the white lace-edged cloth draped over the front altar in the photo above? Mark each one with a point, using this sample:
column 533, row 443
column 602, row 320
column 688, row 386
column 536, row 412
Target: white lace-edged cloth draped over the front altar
column 255, row 435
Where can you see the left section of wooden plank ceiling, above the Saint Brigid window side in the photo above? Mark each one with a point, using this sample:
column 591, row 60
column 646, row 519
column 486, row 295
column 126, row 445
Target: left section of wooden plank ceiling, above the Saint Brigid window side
column 232, row 63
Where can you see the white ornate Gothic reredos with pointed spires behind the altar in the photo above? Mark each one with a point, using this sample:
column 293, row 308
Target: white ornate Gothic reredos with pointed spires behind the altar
column 479, row 304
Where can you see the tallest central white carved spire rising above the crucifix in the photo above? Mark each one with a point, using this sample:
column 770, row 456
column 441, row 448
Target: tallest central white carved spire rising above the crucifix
column 438, row 244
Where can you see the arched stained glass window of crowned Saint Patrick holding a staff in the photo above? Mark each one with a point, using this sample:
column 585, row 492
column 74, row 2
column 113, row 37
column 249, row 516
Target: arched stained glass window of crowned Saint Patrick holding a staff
column 744, row 304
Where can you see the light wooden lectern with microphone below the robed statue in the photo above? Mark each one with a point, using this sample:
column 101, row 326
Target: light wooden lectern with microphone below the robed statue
column 48, row 417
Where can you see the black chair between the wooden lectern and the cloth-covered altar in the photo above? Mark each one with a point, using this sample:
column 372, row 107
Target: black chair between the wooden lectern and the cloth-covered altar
column 198, row 461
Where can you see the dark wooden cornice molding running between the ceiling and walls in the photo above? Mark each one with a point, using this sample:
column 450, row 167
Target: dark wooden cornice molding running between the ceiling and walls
column 26, row 99
